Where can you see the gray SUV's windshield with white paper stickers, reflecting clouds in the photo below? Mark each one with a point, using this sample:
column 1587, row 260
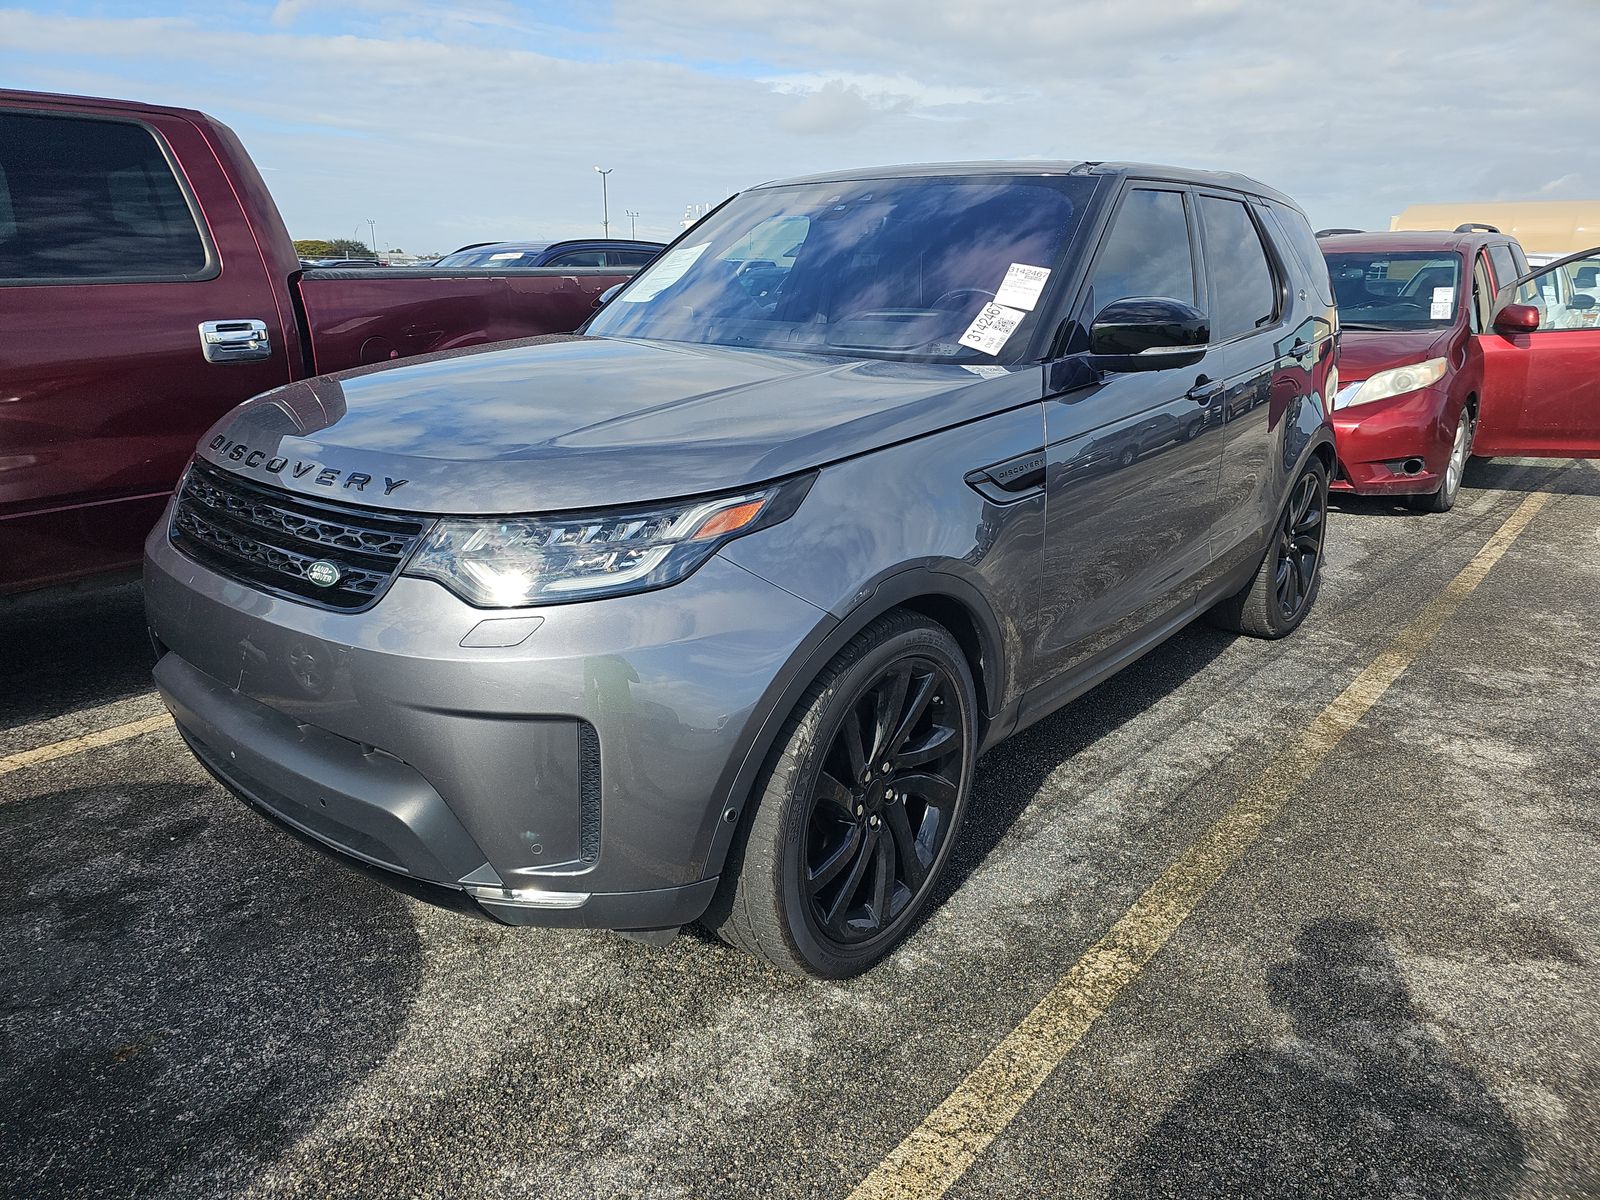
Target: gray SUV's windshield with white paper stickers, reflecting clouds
column 932, row 270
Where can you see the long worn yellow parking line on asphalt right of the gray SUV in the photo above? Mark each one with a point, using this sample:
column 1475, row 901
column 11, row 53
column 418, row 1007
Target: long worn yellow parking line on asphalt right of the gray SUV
column 951, row 1138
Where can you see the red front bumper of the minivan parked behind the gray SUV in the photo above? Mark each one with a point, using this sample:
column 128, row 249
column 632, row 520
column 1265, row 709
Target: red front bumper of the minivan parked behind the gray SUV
column 1377, row 442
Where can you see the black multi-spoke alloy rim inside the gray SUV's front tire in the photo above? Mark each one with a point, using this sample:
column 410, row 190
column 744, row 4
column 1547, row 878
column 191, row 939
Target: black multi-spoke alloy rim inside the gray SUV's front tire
column 884, row 802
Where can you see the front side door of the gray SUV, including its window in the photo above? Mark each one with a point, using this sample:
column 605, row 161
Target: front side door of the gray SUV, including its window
column 1132, row 460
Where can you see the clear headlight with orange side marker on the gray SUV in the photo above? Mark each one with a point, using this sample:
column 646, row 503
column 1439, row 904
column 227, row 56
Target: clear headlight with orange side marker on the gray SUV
column 511, row 562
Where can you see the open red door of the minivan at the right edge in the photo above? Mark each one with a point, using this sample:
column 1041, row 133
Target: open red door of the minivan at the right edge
column 1542, row 390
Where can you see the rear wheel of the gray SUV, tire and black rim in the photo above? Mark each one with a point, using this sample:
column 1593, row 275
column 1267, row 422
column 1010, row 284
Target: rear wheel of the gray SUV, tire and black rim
column 1278, row 599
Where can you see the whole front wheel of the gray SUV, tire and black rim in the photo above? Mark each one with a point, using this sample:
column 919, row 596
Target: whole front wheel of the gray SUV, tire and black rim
column 858, row 806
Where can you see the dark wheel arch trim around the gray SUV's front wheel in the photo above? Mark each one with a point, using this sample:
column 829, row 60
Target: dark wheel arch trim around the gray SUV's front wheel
column 940, row 596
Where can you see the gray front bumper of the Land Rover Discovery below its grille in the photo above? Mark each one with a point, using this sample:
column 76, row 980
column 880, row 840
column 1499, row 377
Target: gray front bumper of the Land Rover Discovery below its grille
column 570, row 780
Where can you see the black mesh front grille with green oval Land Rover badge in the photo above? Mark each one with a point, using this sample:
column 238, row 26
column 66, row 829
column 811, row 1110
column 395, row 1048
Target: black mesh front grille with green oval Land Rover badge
column 270, row 540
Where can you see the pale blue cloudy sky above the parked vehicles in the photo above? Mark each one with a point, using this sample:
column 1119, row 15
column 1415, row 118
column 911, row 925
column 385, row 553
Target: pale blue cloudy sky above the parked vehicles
column 484, row 119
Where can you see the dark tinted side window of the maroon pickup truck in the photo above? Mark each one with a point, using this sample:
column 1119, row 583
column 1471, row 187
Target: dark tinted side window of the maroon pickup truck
column 90, row 199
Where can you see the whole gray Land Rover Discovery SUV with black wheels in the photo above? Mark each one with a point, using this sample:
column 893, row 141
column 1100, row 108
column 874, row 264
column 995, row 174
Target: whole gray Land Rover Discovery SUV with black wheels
column 706, row 614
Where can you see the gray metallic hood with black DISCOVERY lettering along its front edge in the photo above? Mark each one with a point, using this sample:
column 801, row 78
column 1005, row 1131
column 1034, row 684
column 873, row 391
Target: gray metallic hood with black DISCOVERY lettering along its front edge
column 575, row 423
